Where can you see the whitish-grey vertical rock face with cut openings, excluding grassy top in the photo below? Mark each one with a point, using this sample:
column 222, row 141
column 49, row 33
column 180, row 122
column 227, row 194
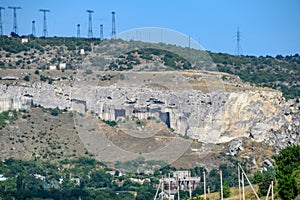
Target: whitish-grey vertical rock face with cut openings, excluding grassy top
column 213, row 117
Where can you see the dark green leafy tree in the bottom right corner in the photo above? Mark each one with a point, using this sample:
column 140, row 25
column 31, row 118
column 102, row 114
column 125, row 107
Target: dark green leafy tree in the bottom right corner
column 287, row 163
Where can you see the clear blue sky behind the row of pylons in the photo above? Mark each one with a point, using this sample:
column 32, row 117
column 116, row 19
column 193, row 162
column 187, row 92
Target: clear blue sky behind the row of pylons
column 268, row 27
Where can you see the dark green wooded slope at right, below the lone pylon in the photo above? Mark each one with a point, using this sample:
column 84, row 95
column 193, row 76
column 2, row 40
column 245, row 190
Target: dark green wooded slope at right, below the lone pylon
column 280, row 72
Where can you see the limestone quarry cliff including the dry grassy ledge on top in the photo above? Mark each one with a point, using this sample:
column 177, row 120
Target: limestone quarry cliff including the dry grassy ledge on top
column 211, row 114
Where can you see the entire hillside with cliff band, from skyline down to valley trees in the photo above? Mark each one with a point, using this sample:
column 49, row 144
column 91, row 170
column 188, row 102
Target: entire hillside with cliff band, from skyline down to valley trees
column 143, row 109
